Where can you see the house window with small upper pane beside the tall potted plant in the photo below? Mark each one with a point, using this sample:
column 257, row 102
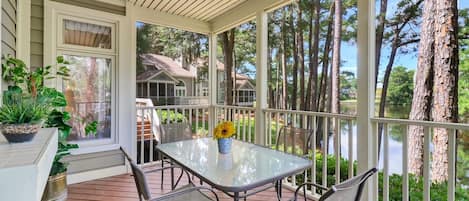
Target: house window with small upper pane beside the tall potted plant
column 89, row 46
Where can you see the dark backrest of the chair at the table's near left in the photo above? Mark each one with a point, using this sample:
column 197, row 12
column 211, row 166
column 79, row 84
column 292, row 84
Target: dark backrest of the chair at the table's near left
column 139, row 177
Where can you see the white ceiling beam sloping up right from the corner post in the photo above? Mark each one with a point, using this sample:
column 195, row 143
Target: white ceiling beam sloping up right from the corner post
column 243, row 13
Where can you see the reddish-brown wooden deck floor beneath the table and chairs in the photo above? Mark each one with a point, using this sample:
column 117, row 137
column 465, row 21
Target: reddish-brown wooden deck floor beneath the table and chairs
column 122, row 188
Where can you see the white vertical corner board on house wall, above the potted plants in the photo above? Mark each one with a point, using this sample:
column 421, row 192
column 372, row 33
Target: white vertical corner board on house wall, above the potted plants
column 23, row 31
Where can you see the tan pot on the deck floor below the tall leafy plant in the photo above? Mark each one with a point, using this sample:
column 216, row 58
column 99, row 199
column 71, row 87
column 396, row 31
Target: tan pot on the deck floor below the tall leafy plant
column 56, row 188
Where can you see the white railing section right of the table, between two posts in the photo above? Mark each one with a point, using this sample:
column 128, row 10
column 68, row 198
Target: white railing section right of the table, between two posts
column 324, row 126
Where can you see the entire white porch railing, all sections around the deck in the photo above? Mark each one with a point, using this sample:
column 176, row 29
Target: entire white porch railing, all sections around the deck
column 334, row 148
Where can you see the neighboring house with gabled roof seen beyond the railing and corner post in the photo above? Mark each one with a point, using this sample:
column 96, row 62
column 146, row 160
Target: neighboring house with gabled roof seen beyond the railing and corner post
column 167, row 81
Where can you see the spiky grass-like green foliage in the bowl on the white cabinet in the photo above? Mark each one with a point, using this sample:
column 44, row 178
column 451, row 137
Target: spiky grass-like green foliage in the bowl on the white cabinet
column 23, row 112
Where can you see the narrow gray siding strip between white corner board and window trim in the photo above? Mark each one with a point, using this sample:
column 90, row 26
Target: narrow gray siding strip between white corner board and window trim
column 37, row 32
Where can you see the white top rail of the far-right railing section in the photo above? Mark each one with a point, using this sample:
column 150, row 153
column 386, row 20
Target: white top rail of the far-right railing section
column 433, row 124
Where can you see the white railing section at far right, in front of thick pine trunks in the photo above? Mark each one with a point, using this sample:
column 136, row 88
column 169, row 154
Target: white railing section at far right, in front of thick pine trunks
column 427, row 127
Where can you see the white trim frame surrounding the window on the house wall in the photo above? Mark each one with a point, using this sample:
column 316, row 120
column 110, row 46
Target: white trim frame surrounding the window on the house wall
column 124, row 77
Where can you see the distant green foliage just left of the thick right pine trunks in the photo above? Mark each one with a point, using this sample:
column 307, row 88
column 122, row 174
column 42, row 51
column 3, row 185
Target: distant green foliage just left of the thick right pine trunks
column 401, row 86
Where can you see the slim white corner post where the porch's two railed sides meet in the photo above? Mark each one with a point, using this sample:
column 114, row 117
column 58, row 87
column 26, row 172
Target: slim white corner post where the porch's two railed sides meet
column 212, row 80
